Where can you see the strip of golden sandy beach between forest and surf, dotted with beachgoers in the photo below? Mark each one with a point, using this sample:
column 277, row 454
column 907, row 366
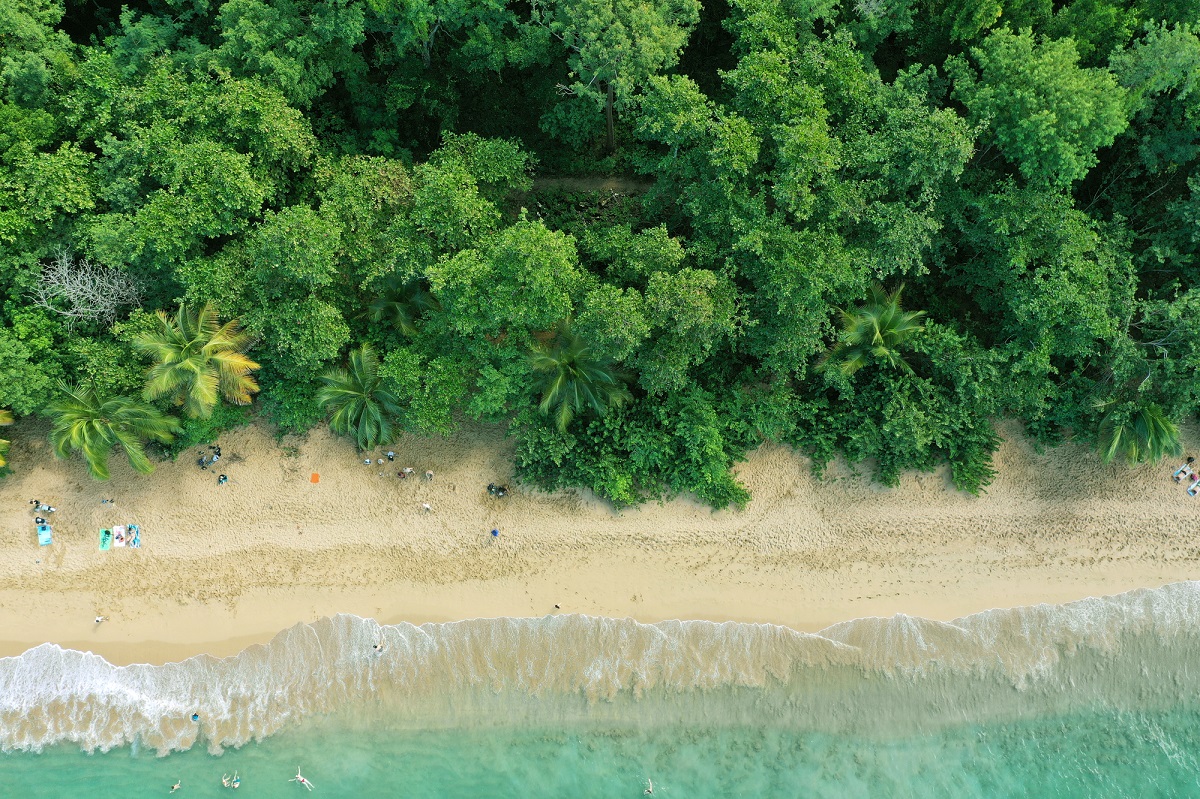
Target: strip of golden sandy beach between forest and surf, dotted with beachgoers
column 226, row 567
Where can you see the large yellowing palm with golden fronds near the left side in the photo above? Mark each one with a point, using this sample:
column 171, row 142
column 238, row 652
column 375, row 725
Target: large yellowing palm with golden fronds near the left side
column 197, row 359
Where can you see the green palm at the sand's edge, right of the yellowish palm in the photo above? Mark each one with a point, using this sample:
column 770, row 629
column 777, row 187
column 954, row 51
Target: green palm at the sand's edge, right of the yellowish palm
column 362, row 405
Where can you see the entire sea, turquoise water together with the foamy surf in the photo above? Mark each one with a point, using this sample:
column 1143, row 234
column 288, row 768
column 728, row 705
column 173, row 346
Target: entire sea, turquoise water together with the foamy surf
column 1095, row 699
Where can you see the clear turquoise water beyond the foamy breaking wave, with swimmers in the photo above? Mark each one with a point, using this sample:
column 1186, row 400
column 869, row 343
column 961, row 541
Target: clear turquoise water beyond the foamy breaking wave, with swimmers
column 1084, row 755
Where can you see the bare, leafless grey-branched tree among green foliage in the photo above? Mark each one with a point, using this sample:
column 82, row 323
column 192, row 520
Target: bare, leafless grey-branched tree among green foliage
column 83, row 291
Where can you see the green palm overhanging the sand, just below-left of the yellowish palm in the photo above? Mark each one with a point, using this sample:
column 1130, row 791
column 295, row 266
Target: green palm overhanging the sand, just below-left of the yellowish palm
column 86, row 422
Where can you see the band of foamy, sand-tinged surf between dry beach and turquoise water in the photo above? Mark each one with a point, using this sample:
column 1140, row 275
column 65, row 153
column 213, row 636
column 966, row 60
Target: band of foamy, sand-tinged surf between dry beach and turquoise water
column 868, row 676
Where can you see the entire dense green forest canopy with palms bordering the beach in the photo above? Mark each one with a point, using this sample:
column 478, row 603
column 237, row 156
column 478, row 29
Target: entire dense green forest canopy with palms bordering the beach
column 341, row 209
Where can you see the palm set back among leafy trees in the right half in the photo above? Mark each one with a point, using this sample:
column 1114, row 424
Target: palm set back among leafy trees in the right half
column 875, row 332
